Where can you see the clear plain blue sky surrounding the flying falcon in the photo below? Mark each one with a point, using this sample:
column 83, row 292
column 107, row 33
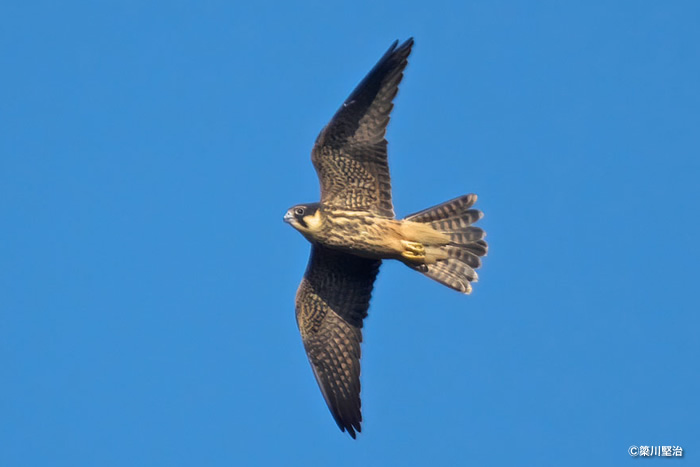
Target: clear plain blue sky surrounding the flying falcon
column 148, row 151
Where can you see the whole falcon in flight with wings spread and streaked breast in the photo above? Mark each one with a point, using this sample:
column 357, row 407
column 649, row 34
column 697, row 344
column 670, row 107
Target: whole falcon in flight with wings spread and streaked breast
column 353, row 228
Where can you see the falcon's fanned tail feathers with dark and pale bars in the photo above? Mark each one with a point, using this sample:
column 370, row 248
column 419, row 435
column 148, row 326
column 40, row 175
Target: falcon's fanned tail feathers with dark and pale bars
column 454, row 218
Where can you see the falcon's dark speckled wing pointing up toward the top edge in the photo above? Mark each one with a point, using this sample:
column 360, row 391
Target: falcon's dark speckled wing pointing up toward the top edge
column 350, row 154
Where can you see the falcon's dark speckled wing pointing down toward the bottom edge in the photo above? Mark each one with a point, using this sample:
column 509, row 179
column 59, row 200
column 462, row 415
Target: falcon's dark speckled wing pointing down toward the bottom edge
column 331, row 303
